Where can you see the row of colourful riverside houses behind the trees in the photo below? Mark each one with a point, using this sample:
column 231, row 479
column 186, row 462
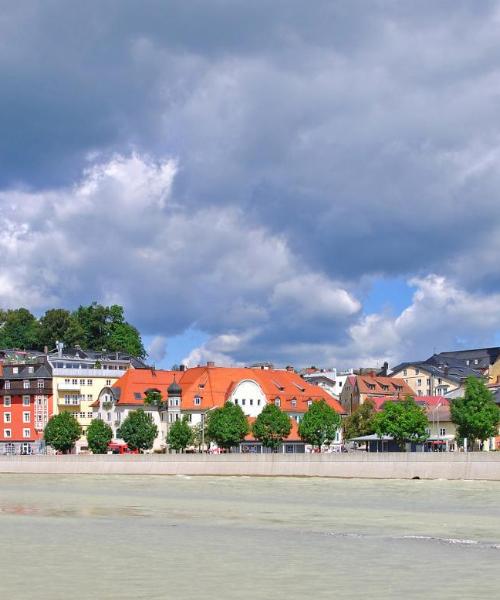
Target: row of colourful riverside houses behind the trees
column 34, row 386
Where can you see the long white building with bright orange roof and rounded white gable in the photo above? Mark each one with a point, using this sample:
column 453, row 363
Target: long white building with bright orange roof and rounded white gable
column 194, row 392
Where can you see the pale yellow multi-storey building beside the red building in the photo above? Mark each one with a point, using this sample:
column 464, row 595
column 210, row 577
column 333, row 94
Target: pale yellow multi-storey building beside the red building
column 78, row 378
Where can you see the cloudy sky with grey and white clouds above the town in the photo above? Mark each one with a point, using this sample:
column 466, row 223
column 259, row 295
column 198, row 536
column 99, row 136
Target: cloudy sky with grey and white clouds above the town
column 305, row 183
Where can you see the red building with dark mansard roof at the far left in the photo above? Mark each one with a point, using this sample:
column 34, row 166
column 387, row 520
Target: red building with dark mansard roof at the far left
column 25, row 402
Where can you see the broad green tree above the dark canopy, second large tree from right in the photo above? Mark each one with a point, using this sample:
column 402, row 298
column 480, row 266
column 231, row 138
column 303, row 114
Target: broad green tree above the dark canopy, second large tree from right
column 404, row 421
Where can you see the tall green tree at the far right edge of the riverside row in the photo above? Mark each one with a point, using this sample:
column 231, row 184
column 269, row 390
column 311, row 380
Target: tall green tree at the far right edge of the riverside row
column 476, row 415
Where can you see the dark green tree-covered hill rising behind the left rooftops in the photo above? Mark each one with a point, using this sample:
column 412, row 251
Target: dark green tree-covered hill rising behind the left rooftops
column 93, row 327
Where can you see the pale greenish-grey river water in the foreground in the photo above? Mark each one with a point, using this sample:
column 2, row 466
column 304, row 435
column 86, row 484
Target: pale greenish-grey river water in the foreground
column 116, row 537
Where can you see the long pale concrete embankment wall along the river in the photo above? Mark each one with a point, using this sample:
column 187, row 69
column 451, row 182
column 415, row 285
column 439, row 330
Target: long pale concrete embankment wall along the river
column 479, row 465
